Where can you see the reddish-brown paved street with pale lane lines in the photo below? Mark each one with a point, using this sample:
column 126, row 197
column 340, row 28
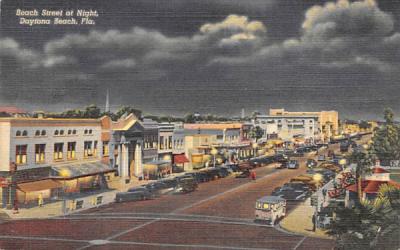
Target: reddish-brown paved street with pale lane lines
column 219, row 215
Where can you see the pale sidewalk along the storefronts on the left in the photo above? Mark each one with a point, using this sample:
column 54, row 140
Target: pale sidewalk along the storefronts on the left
column 57, row 208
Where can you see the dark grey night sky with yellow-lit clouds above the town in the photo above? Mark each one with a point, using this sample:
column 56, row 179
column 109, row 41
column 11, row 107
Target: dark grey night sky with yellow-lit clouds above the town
column 208, row 56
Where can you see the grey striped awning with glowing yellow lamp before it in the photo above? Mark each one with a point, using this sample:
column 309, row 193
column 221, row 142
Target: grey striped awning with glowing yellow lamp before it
column 80, row 170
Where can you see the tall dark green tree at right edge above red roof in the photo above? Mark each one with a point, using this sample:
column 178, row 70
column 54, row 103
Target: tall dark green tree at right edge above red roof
column 386, row 140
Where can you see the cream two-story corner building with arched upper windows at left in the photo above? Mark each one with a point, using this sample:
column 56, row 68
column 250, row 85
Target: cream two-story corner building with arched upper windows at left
column 49, row 157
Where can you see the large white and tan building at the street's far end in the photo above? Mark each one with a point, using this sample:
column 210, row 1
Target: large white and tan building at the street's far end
column 311, row 126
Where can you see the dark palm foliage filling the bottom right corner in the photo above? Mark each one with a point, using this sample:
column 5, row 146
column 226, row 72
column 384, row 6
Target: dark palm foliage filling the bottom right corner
column 371, row 224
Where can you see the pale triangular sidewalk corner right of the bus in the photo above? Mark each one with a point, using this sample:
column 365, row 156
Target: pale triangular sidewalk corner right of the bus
column 300, row 221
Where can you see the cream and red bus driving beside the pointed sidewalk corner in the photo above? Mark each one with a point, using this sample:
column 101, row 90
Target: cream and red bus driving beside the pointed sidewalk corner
column 270, row 209
